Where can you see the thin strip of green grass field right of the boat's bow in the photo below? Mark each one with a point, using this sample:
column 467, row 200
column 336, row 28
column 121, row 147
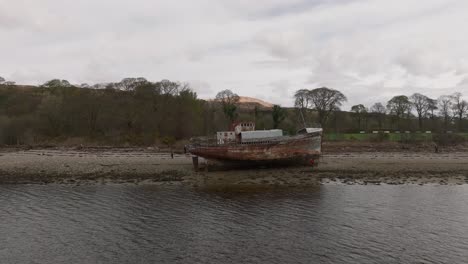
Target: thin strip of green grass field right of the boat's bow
column 395, row 137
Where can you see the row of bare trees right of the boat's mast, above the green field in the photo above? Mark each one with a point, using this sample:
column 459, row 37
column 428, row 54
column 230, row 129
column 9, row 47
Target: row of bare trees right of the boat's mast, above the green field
column 446, row 113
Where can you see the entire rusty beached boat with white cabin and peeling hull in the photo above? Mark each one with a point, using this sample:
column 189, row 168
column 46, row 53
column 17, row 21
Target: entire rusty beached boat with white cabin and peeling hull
column 243, row 145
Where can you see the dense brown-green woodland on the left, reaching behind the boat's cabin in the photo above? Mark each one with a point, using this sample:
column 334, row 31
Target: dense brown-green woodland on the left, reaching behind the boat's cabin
column 133, row 111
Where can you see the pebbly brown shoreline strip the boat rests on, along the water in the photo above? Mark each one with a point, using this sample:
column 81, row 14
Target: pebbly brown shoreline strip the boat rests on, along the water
column 102, row 166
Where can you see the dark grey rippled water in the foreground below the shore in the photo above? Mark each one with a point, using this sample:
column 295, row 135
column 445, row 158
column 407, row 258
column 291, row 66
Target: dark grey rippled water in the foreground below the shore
column 150, row 224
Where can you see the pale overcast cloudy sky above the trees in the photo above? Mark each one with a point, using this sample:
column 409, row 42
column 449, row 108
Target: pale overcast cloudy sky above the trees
column 369, row 50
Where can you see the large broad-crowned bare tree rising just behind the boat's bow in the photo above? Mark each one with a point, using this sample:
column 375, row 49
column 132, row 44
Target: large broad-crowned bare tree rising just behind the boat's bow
column 323, row 100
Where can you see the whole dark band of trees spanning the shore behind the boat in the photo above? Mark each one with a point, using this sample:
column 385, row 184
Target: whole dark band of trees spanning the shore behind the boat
column 136, row 111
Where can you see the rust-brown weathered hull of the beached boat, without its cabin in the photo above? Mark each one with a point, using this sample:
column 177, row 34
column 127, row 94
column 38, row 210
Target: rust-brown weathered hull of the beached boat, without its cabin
column 300, row 149
